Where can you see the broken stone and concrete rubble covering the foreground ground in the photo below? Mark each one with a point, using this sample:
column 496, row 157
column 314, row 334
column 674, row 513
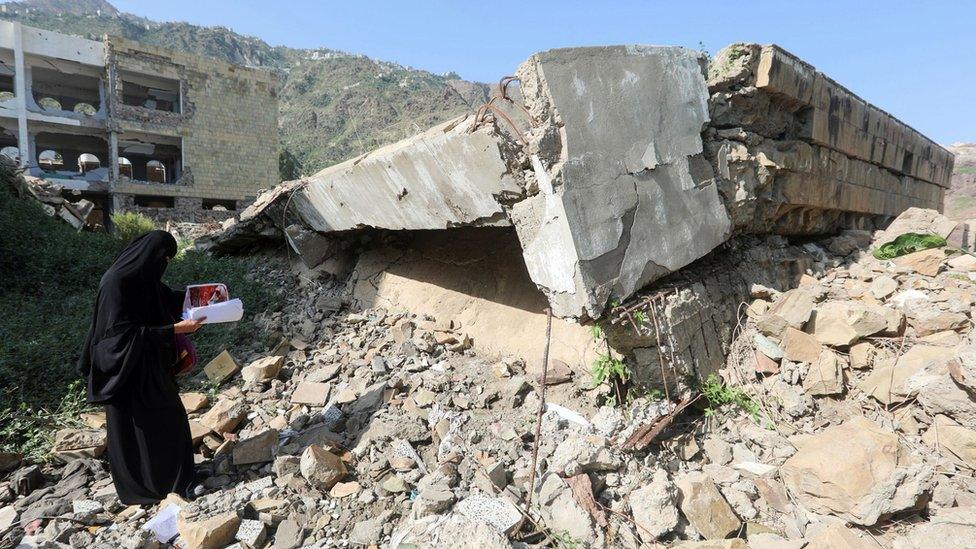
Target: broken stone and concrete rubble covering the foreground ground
column 843, row 421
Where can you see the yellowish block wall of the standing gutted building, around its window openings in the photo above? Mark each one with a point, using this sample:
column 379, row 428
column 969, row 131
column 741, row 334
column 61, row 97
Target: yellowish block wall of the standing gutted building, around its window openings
column 229, row 121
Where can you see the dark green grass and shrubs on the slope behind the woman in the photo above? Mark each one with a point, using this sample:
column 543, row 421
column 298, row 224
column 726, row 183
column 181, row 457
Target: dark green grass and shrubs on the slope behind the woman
column 49, row 275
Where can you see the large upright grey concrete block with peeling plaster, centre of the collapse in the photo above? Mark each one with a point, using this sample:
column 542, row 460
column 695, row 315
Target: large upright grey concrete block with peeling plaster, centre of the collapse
column 627, row 197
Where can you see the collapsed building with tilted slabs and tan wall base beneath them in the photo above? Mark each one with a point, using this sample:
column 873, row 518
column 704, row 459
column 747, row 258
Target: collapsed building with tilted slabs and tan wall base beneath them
column 592, row 177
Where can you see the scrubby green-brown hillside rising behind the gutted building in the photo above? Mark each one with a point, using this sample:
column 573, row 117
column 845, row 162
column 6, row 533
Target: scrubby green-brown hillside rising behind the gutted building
column 333, row 105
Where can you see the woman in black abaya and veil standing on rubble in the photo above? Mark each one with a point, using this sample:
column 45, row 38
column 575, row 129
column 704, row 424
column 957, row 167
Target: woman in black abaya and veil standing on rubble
column 128, row 361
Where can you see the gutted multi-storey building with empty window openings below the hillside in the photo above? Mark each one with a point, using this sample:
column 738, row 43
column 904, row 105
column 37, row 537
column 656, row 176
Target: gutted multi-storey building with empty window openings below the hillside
column 128, row 126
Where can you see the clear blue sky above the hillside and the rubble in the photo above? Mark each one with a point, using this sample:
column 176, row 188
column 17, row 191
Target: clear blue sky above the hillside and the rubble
column 915, row 59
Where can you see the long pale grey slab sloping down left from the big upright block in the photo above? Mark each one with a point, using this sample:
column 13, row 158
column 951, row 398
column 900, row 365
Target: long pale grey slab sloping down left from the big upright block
column 443, row 177
